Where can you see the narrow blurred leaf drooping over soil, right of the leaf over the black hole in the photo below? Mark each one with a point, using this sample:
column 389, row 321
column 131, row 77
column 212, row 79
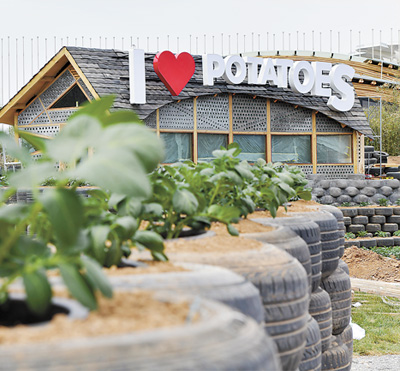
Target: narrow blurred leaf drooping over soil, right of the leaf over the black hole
column 77, row 285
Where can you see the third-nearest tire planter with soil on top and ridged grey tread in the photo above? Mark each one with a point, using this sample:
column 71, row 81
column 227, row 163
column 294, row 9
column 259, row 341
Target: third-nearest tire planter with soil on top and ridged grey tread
column 284, row 289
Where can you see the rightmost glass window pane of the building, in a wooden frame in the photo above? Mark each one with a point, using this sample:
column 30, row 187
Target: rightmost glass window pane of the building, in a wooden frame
column 334, row 149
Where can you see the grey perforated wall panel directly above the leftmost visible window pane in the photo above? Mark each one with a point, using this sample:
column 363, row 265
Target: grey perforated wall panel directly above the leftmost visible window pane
column 177, row 116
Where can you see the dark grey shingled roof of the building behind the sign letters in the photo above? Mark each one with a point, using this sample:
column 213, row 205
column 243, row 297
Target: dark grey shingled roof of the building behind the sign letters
column 108, row 72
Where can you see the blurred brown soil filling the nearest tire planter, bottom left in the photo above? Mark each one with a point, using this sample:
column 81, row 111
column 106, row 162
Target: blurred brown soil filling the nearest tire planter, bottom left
column 126, row 312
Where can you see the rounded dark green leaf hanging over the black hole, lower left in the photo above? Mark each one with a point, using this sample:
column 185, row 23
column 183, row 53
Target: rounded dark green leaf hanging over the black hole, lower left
column 38, row 291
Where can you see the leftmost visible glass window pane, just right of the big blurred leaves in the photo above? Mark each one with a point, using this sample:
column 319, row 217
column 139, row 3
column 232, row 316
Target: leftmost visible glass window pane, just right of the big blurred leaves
column 178, row 146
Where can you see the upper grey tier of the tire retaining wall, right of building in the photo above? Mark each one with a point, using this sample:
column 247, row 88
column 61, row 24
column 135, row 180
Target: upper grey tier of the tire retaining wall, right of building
column 354, row 190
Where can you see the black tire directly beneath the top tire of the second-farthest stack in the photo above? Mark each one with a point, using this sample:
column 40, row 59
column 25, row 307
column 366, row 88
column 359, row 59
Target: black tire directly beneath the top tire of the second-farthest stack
column 320, row 309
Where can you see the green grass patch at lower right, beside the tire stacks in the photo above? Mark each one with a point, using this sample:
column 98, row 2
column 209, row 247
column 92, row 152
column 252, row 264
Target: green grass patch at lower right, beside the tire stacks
column 380, row 318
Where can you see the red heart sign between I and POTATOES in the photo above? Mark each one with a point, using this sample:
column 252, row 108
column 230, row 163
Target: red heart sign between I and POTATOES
column 174, row 71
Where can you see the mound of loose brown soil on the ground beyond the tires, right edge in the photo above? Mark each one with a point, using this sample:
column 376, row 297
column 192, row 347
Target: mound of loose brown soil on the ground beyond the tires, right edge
column 371, row 266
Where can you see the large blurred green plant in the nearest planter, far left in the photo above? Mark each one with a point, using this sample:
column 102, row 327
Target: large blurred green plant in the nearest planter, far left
column 66, row 232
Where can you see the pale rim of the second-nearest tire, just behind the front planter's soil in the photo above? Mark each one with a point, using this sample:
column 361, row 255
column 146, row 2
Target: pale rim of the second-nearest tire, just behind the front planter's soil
column 211, row 282
